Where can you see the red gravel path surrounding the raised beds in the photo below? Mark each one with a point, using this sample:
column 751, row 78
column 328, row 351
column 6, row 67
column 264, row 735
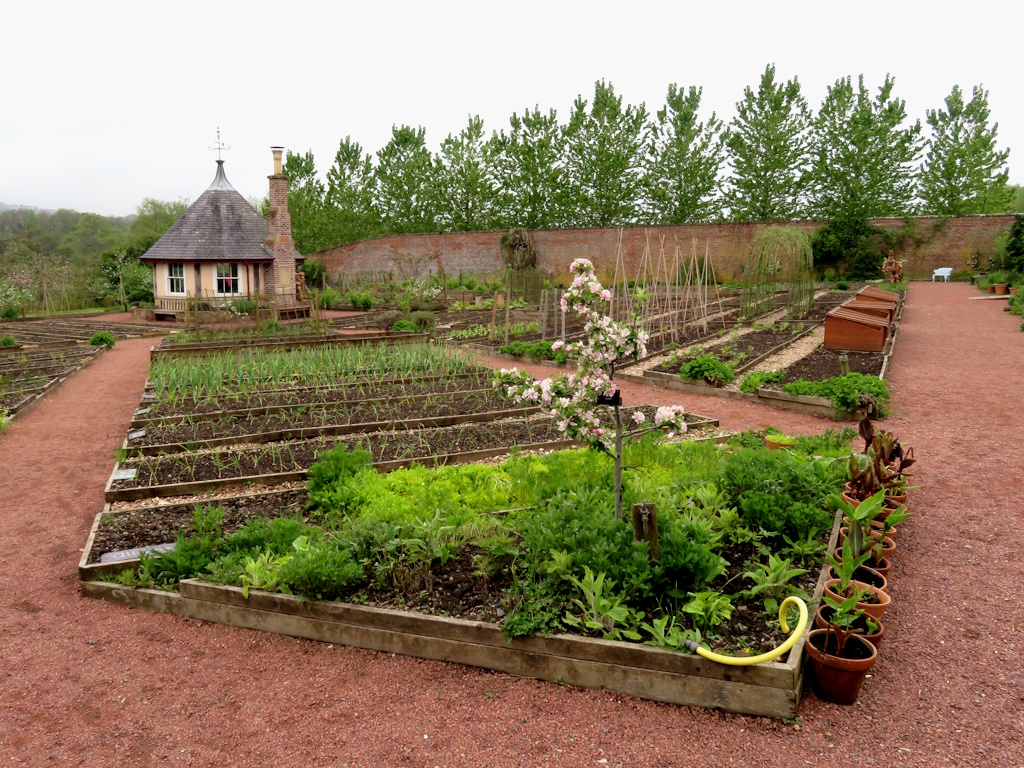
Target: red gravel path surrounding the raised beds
column 87, row 684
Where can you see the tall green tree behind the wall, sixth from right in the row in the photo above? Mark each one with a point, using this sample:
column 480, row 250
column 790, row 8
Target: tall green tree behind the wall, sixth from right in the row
column 530, row 173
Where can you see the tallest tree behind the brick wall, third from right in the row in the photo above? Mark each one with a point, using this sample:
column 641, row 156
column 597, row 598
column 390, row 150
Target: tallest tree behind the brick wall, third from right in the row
column 767, row 144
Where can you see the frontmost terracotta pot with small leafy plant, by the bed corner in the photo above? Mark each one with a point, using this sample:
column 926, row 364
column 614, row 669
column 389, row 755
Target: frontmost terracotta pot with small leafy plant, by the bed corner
column 841, row 658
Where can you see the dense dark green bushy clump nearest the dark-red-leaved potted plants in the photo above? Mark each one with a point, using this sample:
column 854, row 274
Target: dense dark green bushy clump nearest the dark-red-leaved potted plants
column 778, row 492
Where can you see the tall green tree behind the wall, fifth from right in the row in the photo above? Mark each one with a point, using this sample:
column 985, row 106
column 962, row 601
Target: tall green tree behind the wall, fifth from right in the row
column 606, row 147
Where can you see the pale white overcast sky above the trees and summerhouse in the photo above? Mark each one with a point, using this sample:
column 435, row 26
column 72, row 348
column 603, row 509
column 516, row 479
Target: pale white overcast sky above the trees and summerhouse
column 106, row 104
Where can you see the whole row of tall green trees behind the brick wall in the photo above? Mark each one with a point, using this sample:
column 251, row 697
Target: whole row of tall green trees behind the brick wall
column 611, row 164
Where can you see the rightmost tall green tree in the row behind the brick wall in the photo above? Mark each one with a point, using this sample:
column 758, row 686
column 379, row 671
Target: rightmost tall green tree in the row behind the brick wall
column 964, row 173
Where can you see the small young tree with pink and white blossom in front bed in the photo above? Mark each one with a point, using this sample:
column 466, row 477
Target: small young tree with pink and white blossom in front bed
column 575, row 401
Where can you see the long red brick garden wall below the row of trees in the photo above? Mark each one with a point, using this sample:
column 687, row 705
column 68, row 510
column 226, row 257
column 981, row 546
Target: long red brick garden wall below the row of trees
column 950, row 243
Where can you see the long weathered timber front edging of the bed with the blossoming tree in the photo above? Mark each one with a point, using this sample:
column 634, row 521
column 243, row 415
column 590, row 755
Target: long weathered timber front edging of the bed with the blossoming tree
column 773, row 690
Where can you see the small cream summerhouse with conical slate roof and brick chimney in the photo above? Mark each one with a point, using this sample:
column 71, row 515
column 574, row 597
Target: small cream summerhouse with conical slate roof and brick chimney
column 223, row 253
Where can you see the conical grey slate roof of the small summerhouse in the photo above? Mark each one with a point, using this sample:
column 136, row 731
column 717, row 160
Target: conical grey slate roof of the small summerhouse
column 220, row 227
